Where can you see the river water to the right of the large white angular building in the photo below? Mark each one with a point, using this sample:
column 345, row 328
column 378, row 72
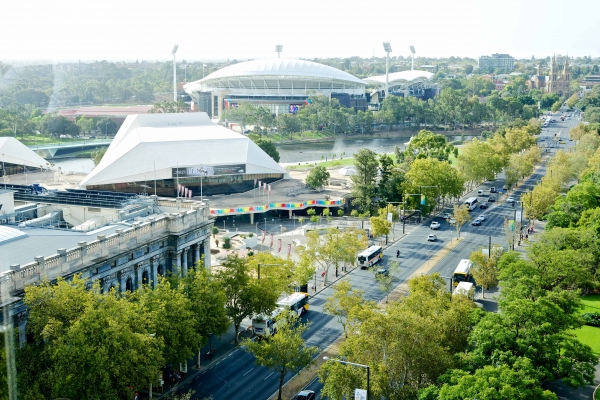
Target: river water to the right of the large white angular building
column 302, row 152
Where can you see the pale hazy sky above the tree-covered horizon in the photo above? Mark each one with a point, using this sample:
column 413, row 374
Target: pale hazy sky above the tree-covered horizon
column 147, row 30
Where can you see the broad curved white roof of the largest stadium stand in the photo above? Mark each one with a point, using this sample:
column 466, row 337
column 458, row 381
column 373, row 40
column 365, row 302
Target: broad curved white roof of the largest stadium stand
column 267, row 74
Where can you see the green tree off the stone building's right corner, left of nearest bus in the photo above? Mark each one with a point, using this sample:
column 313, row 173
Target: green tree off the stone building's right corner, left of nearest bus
column 245, row 295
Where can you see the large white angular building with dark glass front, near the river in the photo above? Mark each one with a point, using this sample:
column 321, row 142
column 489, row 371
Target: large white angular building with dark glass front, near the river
column 183, row 155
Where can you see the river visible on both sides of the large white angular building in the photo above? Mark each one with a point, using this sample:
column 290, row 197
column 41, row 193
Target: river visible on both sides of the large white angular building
column 292, row 153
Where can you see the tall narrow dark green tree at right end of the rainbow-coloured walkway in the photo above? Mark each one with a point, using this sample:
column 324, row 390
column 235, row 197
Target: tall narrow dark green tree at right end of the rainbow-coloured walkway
column 365, row 162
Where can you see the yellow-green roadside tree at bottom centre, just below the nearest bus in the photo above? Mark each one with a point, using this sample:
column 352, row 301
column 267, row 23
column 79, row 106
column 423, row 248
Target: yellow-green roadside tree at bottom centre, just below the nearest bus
column 284, row 351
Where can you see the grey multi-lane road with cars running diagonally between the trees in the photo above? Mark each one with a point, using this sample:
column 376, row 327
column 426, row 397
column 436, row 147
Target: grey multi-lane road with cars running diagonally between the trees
column 237, row 377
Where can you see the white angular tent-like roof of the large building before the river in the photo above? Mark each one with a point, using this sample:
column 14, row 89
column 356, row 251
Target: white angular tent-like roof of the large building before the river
column 148, row 146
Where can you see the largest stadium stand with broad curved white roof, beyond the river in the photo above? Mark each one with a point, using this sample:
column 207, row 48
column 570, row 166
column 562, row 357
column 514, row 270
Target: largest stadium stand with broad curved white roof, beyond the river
column 282, row 85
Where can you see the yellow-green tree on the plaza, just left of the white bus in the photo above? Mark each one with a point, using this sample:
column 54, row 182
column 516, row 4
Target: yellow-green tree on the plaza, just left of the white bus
column 334, row 248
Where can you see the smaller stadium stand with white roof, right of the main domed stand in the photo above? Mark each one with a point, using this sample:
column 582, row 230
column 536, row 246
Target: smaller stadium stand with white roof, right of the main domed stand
column 404, row 83
